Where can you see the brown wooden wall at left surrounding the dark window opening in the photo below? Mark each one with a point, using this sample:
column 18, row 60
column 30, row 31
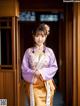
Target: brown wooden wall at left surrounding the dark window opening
column 8, row 80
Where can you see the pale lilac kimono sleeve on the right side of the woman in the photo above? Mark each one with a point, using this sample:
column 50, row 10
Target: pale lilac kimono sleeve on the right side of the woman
column 50, row 71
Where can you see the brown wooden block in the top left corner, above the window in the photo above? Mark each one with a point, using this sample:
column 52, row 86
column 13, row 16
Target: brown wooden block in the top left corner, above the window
column 9, row 8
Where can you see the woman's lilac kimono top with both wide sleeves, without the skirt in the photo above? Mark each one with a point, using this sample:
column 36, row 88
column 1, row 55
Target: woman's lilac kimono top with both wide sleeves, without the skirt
column 45, row 63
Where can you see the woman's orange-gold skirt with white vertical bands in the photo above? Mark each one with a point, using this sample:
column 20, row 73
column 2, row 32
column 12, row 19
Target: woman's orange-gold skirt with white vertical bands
column 40, row 94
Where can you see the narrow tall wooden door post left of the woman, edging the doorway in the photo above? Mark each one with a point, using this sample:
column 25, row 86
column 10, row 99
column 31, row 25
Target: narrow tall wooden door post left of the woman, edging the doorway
column 18, row 64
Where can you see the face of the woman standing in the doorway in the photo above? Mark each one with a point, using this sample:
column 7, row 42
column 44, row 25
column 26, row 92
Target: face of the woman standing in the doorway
column 39, row 38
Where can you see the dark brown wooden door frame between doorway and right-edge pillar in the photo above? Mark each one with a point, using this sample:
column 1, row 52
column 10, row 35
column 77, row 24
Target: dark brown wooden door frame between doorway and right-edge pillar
column 66, row 56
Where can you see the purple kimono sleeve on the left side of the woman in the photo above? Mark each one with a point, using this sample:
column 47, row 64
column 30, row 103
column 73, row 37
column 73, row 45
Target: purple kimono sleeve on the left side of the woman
column 27, row 72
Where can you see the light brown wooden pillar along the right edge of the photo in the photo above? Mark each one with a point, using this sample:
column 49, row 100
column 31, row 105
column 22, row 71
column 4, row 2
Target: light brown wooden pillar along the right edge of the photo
column 76, row 55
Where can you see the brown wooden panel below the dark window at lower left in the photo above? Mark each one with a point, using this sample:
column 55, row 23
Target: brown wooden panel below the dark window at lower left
column 7, row 86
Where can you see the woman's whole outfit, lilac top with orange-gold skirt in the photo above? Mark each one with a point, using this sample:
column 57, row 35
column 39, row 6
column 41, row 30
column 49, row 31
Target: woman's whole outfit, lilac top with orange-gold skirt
column 46, row 64
